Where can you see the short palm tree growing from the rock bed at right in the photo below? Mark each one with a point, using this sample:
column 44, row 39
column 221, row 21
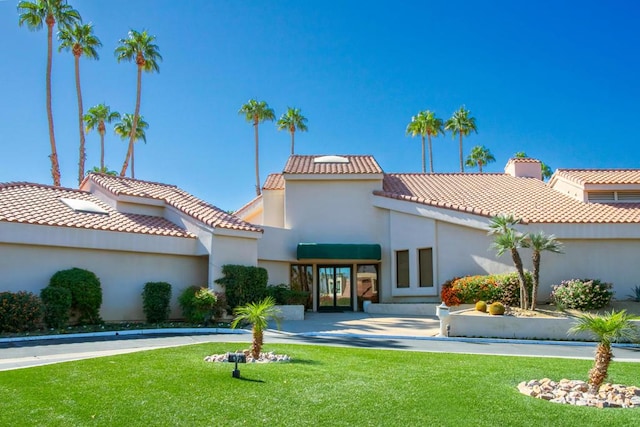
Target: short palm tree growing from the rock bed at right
column 607, row 329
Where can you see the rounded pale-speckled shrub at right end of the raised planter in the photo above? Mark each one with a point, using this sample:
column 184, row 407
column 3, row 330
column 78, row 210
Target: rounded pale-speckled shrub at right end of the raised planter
column 582, row 294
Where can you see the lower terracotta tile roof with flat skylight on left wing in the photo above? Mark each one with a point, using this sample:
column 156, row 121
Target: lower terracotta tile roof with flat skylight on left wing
column 28, row 203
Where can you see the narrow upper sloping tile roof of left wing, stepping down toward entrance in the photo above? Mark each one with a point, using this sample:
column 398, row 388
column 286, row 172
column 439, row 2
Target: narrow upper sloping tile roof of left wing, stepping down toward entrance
column 172, row 196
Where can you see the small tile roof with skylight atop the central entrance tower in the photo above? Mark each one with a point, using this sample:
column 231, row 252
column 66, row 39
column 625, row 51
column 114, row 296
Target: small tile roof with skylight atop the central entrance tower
column 354, row 165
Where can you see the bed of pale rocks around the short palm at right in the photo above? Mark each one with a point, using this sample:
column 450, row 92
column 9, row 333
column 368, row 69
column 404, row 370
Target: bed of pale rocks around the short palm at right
column 575, row 392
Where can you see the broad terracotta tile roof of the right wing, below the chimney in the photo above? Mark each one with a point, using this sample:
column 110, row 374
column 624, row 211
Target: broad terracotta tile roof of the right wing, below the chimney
column 491, row 194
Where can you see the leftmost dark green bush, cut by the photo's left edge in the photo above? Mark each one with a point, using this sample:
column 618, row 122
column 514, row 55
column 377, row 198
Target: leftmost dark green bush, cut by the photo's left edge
column 20, row 312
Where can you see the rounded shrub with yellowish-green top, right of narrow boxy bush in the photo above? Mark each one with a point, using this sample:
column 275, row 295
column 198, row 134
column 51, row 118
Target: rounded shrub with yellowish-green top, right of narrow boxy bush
column 201, row 304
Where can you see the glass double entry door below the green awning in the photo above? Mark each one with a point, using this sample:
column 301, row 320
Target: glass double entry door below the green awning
column 334, row 288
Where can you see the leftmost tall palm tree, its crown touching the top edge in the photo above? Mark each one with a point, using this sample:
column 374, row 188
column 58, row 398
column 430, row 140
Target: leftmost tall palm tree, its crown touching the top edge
column 34, row 14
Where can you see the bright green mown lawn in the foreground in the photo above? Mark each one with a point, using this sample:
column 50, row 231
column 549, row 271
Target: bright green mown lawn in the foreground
column 322, row 386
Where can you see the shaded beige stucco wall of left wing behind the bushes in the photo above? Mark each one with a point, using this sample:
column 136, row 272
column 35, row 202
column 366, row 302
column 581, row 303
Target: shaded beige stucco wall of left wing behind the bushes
column 122, row 274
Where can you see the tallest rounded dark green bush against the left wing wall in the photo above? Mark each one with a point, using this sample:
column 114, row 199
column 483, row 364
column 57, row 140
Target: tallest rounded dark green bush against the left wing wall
column 86, row 293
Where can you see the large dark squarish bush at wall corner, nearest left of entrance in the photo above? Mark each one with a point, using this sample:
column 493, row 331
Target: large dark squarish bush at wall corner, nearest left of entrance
column 243, row 284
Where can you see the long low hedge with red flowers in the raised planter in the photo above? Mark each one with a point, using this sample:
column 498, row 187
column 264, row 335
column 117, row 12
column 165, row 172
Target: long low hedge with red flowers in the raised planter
column 490, row 288
